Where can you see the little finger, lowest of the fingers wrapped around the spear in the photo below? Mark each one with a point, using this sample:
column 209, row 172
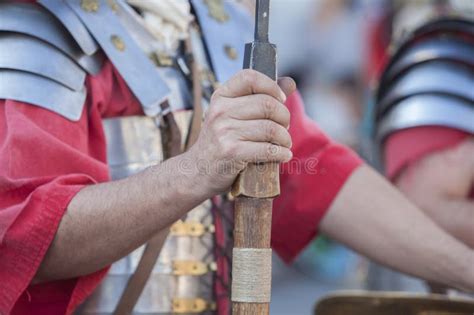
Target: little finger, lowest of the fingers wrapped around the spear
column 262, row 152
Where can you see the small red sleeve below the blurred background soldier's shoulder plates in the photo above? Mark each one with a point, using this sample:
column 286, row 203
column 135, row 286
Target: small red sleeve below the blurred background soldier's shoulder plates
column 410, row 145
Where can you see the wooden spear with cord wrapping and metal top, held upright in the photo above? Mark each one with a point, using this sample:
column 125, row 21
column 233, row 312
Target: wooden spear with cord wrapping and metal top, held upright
column 254, row 190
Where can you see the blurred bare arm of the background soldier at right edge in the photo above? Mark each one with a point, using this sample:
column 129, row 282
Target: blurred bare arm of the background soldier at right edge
column 441, row 184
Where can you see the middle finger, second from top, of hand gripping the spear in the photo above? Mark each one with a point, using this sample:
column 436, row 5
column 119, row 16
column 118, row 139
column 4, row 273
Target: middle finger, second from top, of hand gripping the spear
column 259, row 106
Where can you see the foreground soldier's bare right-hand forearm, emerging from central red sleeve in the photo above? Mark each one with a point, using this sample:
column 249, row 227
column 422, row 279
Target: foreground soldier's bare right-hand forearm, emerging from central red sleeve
column 372, row 217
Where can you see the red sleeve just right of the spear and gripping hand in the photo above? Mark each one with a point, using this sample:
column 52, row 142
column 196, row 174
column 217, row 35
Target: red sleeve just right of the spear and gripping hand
column 309, row 182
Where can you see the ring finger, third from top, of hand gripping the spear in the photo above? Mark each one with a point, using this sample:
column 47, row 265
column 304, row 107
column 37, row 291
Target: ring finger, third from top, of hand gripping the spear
column 264, row 131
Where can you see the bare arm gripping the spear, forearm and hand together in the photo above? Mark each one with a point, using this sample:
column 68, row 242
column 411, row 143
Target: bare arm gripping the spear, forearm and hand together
column 247, row 122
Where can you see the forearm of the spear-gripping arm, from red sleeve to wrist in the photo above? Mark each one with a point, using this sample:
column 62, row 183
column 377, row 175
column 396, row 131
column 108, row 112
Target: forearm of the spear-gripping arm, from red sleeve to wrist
column 105, row 222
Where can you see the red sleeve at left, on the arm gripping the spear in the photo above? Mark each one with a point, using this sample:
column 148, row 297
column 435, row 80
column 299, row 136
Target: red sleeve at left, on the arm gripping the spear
column 45, row 160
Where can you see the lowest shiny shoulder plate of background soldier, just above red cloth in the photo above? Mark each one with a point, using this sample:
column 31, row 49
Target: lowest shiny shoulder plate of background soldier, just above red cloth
column 427, row 110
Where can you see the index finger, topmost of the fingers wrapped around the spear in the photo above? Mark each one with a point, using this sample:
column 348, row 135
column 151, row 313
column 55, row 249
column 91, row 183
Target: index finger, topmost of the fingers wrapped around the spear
column 247, row 82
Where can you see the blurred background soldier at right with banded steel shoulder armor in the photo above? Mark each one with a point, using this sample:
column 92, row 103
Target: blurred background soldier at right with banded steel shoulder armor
column 424, row 116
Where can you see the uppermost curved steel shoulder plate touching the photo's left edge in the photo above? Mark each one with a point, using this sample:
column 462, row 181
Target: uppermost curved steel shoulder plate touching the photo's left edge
column 37, row 22
